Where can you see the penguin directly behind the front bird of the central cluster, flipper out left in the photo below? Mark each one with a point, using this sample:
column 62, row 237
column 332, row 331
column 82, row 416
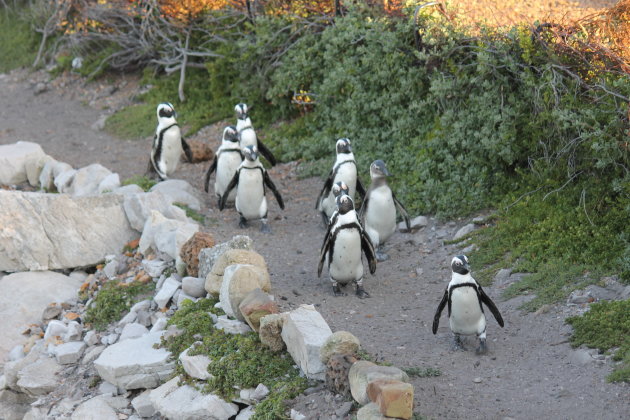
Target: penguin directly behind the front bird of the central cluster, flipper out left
column 344, row 169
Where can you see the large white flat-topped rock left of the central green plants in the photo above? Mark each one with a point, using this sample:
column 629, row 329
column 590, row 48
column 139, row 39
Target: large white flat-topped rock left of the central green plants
column 135, row 363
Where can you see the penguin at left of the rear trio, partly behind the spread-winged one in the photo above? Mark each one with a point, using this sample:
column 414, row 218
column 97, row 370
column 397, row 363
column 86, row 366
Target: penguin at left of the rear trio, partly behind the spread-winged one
column 227, row 159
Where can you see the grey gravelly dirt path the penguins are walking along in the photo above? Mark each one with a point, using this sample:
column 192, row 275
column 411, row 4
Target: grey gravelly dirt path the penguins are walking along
column 527, row 373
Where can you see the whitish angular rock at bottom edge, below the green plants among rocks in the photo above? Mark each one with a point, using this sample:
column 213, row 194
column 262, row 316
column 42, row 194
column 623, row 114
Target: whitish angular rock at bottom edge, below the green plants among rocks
column 183, row 403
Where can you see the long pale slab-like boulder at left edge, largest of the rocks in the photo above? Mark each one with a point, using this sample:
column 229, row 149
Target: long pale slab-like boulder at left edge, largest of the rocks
column 32, row 238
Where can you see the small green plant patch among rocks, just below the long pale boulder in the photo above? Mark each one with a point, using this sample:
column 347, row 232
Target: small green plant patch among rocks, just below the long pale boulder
column 112, row 300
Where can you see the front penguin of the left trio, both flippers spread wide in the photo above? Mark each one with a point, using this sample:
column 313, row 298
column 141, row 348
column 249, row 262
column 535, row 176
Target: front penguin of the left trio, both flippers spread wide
column 250, row 181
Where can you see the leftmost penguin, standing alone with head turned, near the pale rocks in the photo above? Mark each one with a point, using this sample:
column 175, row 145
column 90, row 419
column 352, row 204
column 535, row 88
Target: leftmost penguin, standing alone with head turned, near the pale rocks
column 168, row 143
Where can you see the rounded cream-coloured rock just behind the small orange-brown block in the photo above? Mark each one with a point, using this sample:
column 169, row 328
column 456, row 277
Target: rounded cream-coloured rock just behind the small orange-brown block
column 238, row 281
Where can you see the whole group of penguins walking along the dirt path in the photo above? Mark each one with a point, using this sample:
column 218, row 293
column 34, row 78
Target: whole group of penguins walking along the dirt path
column 242, row 180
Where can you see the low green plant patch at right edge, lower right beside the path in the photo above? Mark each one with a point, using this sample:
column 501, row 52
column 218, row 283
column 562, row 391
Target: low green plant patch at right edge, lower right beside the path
column 606, row 326
